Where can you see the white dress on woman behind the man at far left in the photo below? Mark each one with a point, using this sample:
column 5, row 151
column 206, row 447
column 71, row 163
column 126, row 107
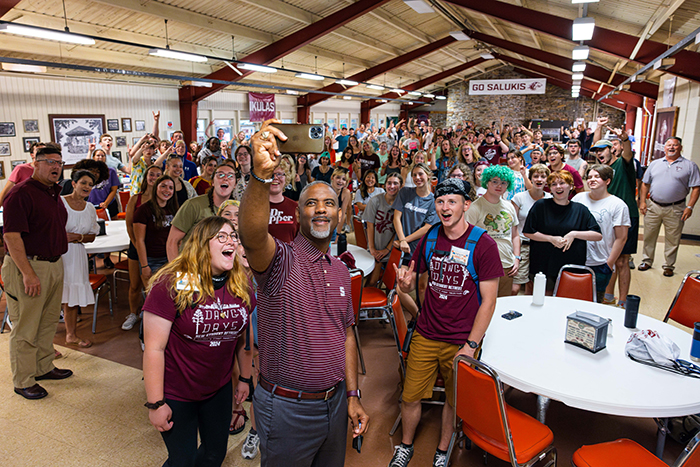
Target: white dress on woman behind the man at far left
column 76, row 281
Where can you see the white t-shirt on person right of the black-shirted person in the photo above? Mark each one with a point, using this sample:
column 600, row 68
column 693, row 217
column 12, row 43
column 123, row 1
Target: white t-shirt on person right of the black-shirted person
column 609, row 212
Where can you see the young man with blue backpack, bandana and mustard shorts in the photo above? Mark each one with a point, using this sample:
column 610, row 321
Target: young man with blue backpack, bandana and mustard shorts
column 464, row 268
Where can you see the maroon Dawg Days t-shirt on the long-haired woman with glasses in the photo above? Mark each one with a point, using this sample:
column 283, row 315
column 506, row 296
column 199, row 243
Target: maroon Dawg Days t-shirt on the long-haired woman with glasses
column 201, row 348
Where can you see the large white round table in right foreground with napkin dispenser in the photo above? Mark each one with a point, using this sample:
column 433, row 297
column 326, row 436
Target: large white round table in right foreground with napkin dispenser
column 529, row 353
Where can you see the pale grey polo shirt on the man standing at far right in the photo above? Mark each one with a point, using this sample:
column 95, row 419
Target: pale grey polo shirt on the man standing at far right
column 671, row 182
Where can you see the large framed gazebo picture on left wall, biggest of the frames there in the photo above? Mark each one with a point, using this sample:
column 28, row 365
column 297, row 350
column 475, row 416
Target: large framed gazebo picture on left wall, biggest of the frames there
column 74, row 133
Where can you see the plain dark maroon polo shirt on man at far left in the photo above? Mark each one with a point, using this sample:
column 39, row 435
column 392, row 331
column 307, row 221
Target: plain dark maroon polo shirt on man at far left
column 36, row 211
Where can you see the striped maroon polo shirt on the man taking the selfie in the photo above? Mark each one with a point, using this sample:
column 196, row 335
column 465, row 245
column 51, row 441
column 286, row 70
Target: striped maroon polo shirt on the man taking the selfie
column 304, row 310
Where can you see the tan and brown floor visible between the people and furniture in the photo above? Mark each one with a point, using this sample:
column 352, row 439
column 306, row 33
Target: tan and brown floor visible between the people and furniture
column 97, row 416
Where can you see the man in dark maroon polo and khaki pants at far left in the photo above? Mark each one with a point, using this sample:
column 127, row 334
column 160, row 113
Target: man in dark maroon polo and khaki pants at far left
column 35, row 238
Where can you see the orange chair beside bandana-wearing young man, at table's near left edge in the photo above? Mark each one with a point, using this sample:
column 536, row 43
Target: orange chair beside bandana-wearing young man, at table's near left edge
column 482, row 416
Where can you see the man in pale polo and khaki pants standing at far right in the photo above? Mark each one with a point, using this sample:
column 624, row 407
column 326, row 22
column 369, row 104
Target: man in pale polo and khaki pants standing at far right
column 668, row 181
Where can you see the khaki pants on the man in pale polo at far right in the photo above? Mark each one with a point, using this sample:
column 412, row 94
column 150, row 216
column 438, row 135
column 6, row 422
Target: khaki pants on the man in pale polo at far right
column 670, row 217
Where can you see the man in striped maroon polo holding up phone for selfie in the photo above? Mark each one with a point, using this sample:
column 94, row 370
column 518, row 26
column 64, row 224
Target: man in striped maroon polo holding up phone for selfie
column 308, row 359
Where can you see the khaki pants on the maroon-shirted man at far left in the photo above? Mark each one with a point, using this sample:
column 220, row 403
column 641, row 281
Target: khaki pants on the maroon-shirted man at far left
column 34, row 319
